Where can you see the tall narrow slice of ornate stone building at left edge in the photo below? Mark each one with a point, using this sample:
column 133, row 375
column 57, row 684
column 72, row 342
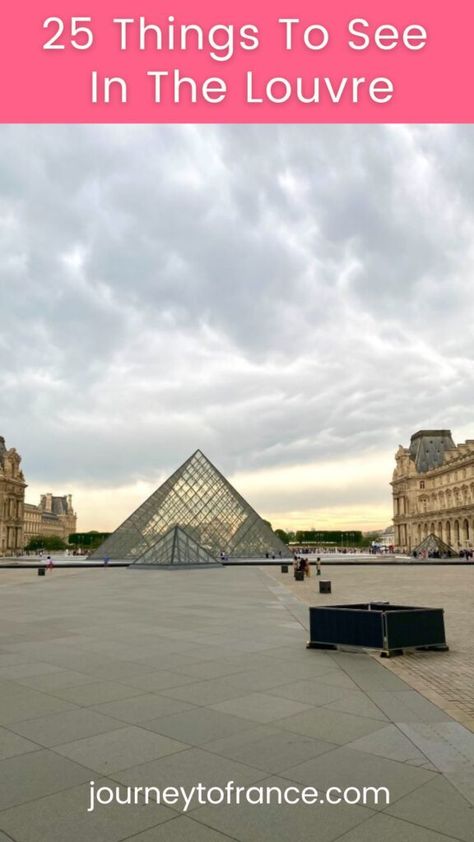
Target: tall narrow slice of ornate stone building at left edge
column 12, row 497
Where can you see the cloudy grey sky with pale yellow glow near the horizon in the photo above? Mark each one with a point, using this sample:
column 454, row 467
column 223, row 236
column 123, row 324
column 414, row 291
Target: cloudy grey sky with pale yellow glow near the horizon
column 295, row 301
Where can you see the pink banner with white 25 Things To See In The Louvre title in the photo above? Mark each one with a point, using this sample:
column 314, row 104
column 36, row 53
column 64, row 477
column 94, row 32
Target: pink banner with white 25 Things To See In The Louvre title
column 353, row 61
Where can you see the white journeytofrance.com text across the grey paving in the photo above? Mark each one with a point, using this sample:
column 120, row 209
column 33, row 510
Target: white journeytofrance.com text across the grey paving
column 230, row 793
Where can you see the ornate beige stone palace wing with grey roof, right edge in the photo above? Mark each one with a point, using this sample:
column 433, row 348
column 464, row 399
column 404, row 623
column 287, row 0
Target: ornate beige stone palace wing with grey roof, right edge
column 433, row 491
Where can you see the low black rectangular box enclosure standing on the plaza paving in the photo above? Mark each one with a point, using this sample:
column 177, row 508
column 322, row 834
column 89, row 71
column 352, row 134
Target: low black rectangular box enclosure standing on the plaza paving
column 377, row 625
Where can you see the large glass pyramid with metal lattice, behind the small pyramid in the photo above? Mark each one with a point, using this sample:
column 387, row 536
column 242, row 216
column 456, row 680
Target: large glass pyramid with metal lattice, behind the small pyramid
column 198, row 499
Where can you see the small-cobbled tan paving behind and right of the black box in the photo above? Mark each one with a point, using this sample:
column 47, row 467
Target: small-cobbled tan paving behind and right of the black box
column 446, row 678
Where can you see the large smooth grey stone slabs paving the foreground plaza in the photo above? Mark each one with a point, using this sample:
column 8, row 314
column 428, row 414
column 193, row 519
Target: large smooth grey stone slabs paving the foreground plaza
column 156, row 678
